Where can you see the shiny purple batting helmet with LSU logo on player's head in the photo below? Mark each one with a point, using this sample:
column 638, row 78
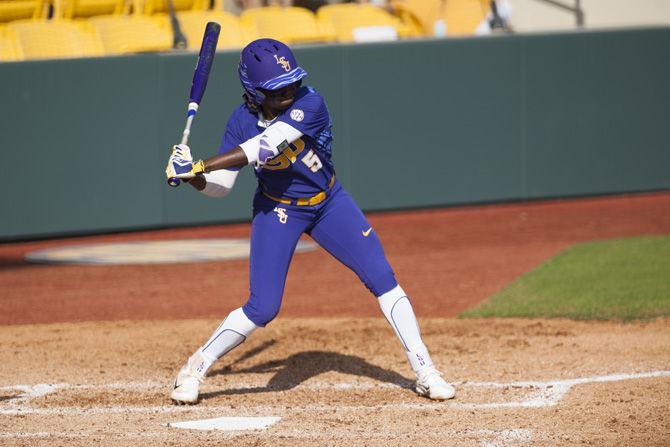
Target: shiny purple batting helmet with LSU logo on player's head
column 267, row 64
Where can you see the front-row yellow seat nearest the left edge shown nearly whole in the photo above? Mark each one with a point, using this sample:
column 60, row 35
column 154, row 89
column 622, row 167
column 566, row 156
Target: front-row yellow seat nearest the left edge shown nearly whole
column 53, row 39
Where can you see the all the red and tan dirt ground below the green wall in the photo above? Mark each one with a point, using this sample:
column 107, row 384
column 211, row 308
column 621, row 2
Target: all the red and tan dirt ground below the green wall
column 88, row 353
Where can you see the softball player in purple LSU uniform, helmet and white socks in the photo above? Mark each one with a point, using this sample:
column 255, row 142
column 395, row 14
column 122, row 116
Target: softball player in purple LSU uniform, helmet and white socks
column 283, row 129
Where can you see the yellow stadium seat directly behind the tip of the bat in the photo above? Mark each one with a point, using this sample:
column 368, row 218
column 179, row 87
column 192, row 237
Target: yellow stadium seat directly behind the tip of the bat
column 233, row 34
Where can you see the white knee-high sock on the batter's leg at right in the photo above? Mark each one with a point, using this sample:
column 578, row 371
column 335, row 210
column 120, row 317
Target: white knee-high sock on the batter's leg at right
column 398, row 311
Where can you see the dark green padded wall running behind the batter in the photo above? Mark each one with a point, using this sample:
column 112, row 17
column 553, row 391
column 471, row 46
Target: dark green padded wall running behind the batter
column 416, row 123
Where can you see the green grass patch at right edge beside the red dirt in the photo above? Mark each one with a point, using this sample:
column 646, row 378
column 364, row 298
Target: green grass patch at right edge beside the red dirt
column 625, row 279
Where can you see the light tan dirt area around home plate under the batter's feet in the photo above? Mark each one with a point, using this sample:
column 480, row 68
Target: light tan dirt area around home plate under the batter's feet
column 341, row 382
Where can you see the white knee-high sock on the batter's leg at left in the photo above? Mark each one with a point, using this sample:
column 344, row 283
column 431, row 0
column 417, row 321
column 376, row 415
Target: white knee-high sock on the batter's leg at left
column 231, row 333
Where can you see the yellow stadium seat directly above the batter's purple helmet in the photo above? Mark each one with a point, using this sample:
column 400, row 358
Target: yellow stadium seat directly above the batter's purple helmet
column 288, row 24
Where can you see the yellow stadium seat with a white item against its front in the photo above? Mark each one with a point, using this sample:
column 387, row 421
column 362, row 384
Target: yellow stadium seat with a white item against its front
column 345, row 18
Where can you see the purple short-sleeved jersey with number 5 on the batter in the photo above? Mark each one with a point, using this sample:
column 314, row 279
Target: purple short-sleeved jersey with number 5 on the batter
column 302, row 169
